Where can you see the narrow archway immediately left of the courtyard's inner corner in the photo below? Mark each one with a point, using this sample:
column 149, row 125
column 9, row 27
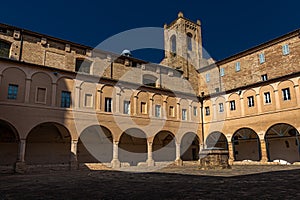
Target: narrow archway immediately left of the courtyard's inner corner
column 189, row 147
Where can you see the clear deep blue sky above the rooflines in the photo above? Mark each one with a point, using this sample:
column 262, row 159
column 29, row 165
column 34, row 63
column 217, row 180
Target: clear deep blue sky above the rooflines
column 228, row 27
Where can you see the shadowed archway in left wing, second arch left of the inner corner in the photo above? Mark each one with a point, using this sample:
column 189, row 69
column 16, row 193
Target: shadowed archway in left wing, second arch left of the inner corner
column 164, row 148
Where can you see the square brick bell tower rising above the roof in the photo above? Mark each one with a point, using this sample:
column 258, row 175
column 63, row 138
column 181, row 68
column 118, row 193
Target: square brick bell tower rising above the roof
column 183, row 45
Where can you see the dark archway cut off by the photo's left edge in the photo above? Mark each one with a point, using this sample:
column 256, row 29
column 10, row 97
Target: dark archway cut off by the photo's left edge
column 9, row 138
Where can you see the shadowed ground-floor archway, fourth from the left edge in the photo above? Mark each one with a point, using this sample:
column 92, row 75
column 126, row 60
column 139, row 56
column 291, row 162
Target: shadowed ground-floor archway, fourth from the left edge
column 133, row 146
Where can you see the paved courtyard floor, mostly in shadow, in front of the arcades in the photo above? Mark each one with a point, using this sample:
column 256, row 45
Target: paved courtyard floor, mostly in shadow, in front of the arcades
column 247, row 182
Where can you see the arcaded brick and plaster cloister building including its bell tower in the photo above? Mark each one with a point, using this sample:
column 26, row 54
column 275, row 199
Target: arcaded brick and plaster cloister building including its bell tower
column 65, row 104
